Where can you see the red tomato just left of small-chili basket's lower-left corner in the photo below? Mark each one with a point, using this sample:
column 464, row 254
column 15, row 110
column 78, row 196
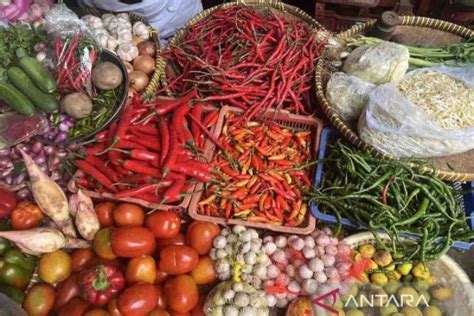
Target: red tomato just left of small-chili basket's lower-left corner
column 164, row 224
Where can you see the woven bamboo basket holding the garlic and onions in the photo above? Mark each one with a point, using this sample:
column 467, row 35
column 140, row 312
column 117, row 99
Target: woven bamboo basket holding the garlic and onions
column 156, row 79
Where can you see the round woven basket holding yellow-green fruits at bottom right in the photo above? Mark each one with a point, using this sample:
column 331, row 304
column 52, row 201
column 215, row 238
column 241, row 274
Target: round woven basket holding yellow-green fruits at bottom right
column 445, row 270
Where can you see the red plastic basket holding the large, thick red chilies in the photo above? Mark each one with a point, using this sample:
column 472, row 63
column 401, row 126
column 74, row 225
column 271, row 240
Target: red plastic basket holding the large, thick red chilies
column 207, row 155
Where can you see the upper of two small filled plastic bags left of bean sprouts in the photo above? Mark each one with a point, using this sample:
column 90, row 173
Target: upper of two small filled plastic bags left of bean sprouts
column 379, row 63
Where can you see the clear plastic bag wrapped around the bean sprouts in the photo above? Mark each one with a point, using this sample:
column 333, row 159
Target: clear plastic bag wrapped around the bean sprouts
column 396, row 126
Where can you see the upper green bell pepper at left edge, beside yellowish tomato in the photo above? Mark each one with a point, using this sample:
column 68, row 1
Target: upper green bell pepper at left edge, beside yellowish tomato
column 16, row 268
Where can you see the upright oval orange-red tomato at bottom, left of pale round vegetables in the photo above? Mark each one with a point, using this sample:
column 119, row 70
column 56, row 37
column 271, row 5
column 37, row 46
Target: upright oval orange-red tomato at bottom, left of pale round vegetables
column 181, row 293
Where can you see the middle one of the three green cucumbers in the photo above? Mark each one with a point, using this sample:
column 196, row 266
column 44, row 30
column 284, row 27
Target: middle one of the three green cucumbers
column 44, row 102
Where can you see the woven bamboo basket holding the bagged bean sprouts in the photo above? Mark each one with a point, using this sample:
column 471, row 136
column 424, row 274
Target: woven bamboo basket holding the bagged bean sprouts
column 437, row 33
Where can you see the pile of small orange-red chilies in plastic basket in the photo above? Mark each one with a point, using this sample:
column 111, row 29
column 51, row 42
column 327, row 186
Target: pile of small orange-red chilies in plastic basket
column 261, row 175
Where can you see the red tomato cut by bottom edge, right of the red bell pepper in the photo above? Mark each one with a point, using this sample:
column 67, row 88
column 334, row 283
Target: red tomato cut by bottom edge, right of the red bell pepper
column 138, row 299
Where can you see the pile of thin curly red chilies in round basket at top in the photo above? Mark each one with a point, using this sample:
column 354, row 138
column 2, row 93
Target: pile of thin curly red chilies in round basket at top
column 248, row 58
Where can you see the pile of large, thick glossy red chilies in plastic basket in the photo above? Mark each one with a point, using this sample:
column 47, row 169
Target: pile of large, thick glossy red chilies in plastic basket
column 152, row 153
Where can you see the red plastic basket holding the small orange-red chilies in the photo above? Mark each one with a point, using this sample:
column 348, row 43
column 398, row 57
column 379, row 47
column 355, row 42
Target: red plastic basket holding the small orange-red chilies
column 286, row 119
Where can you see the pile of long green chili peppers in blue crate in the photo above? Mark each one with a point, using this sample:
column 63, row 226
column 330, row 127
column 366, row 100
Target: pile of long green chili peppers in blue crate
column 393, row 197
